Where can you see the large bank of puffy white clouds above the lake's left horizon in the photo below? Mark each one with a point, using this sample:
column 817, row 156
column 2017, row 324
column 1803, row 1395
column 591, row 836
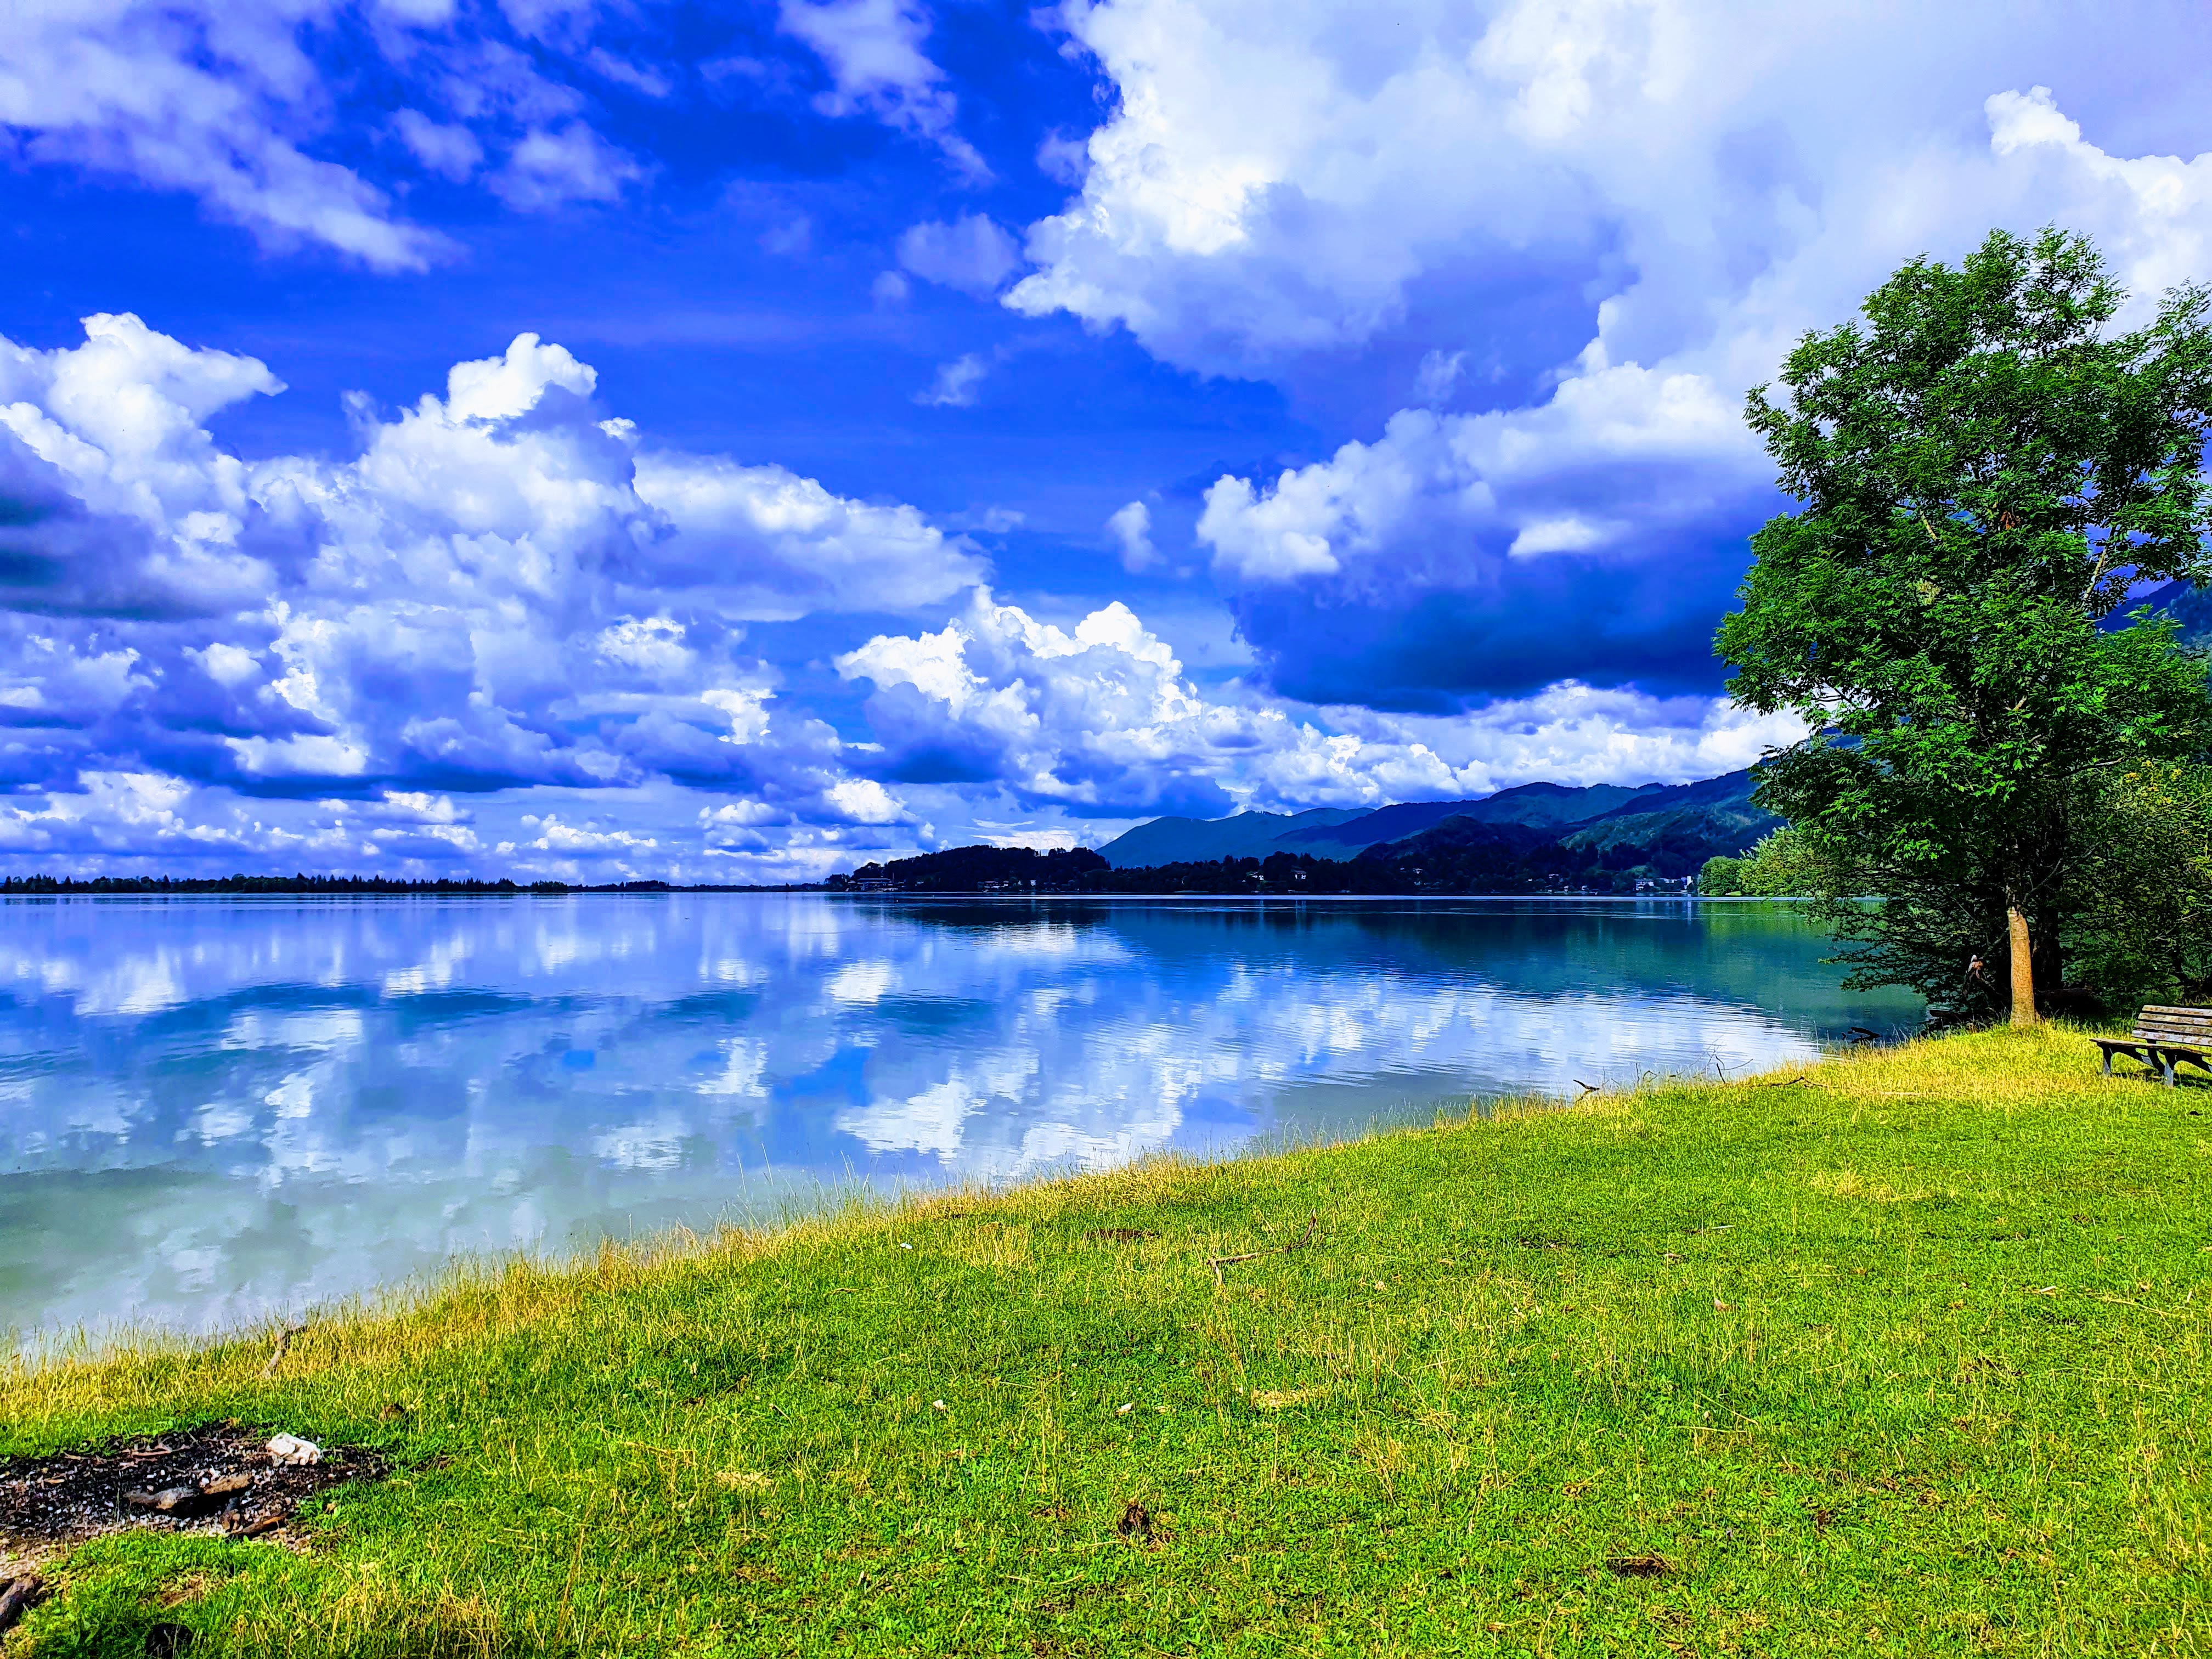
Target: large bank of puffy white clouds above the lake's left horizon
column 505, row 589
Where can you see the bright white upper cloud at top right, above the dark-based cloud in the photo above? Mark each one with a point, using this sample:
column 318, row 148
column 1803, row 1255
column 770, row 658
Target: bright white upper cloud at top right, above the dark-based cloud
column 1273, row 182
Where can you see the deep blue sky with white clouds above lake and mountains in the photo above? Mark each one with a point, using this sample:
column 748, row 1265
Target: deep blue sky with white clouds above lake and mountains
column 733, row 444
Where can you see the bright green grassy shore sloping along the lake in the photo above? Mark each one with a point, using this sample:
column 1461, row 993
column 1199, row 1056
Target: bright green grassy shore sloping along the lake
column 1908, row 1359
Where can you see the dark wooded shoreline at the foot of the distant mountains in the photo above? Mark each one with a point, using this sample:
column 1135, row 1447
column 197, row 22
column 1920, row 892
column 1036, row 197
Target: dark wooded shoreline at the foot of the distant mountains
column 1492, row 859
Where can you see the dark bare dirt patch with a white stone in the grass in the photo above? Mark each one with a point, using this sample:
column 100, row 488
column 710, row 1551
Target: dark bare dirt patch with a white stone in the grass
column 218, row 1479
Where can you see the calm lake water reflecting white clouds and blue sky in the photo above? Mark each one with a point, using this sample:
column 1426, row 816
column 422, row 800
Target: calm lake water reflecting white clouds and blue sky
column 220, row 1109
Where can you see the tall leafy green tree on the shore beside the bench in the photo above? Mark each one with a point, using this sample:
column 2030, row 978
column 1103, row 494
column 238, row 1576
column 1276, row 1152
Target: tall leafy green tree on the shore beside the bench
column 1985, row 474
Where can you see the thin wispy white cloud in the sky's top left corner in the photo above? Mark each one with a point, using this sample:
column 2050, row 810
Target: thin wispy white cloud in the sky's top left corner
column 229, row 103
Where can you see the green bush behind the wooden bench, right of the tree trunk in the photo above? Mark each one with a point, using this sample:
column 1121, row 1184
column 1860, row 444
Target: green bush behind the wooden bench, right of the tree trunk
column 2140, row 924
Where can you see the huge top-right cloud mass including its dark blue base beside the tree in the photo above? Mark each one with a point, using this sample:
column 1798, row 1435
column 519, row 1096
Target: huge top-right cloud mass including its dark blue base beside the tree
column 1689, row 185
